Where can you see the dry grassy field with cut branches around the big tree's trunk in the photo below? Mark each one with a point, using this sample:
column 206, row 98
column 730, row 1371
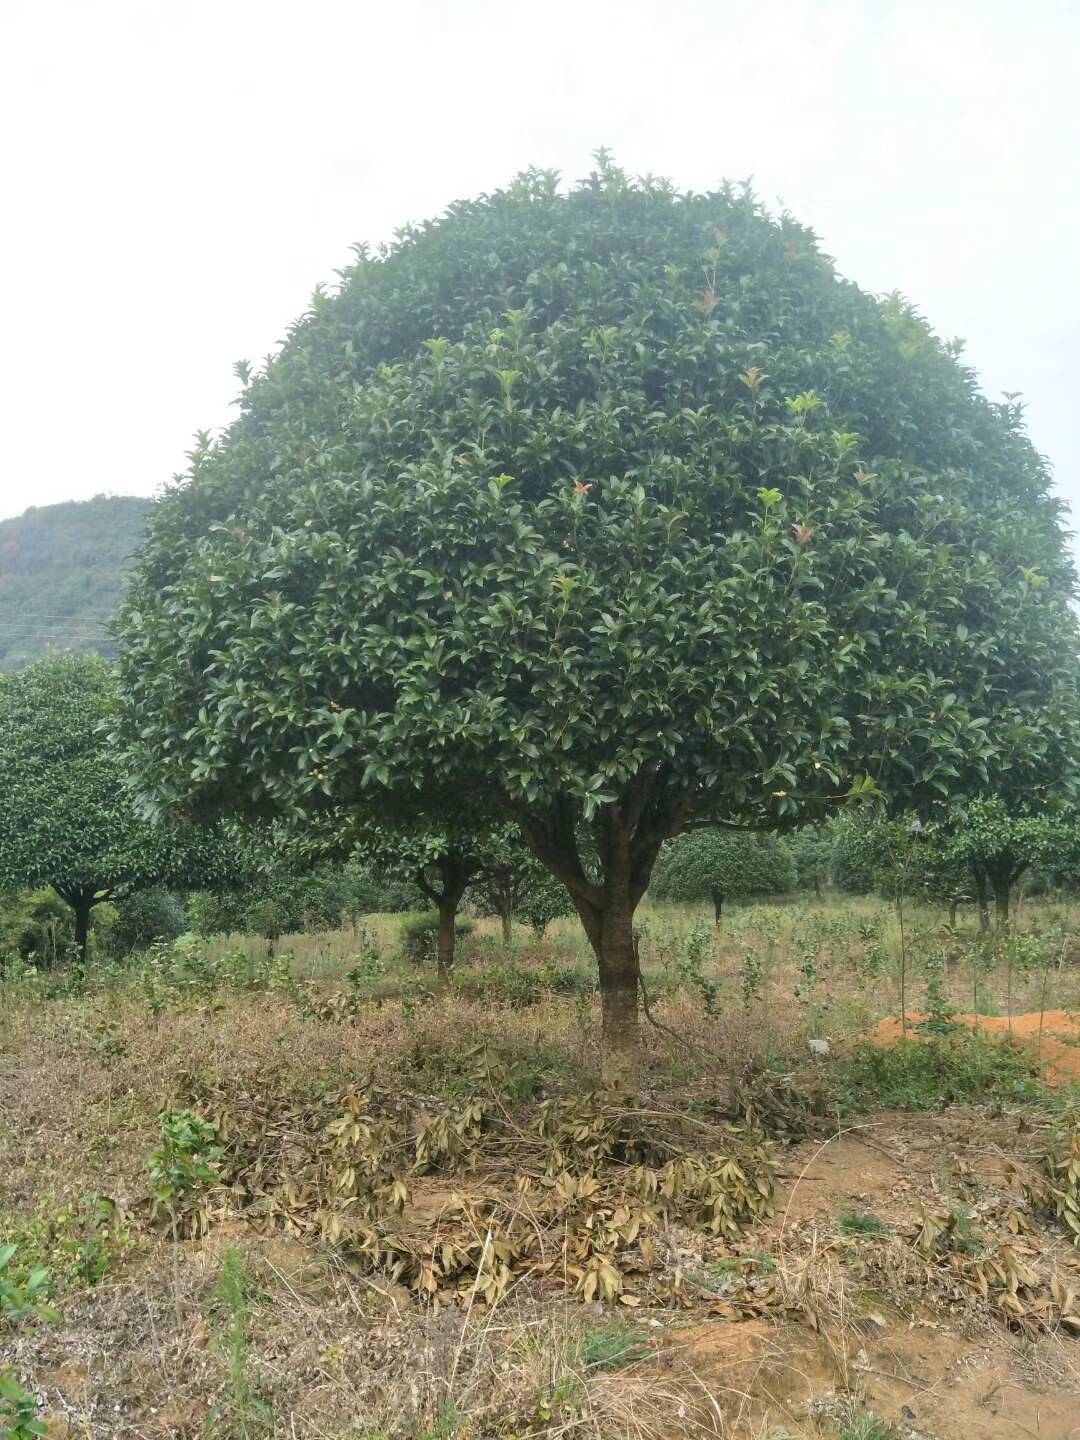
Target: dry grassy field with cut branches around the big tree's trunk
column 302, row 1194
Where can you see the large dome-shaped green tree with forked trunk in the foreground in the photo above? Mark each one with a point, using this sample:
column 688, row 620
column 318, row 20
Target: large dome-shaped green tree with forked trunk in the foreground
column 618, row 508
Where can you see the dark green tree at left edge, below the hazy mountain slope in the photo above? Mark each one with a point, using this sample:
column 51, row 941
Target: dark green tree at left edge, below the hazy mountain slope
column 67, row 819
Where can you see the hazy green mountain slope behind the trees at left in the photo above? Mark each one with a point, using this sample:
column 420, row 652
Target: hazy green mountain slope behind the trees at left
column 63, row 575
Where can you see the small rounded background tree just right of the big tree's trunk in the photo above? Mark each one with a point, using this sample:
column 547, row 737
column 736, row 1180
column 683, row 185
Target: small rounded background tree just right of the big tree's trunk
column 718, row 866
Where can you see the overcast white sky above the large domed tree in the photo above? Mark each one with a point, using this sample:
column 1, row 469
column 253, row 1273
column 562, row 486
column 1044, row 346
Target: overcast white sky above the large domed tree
column 178, row 175
